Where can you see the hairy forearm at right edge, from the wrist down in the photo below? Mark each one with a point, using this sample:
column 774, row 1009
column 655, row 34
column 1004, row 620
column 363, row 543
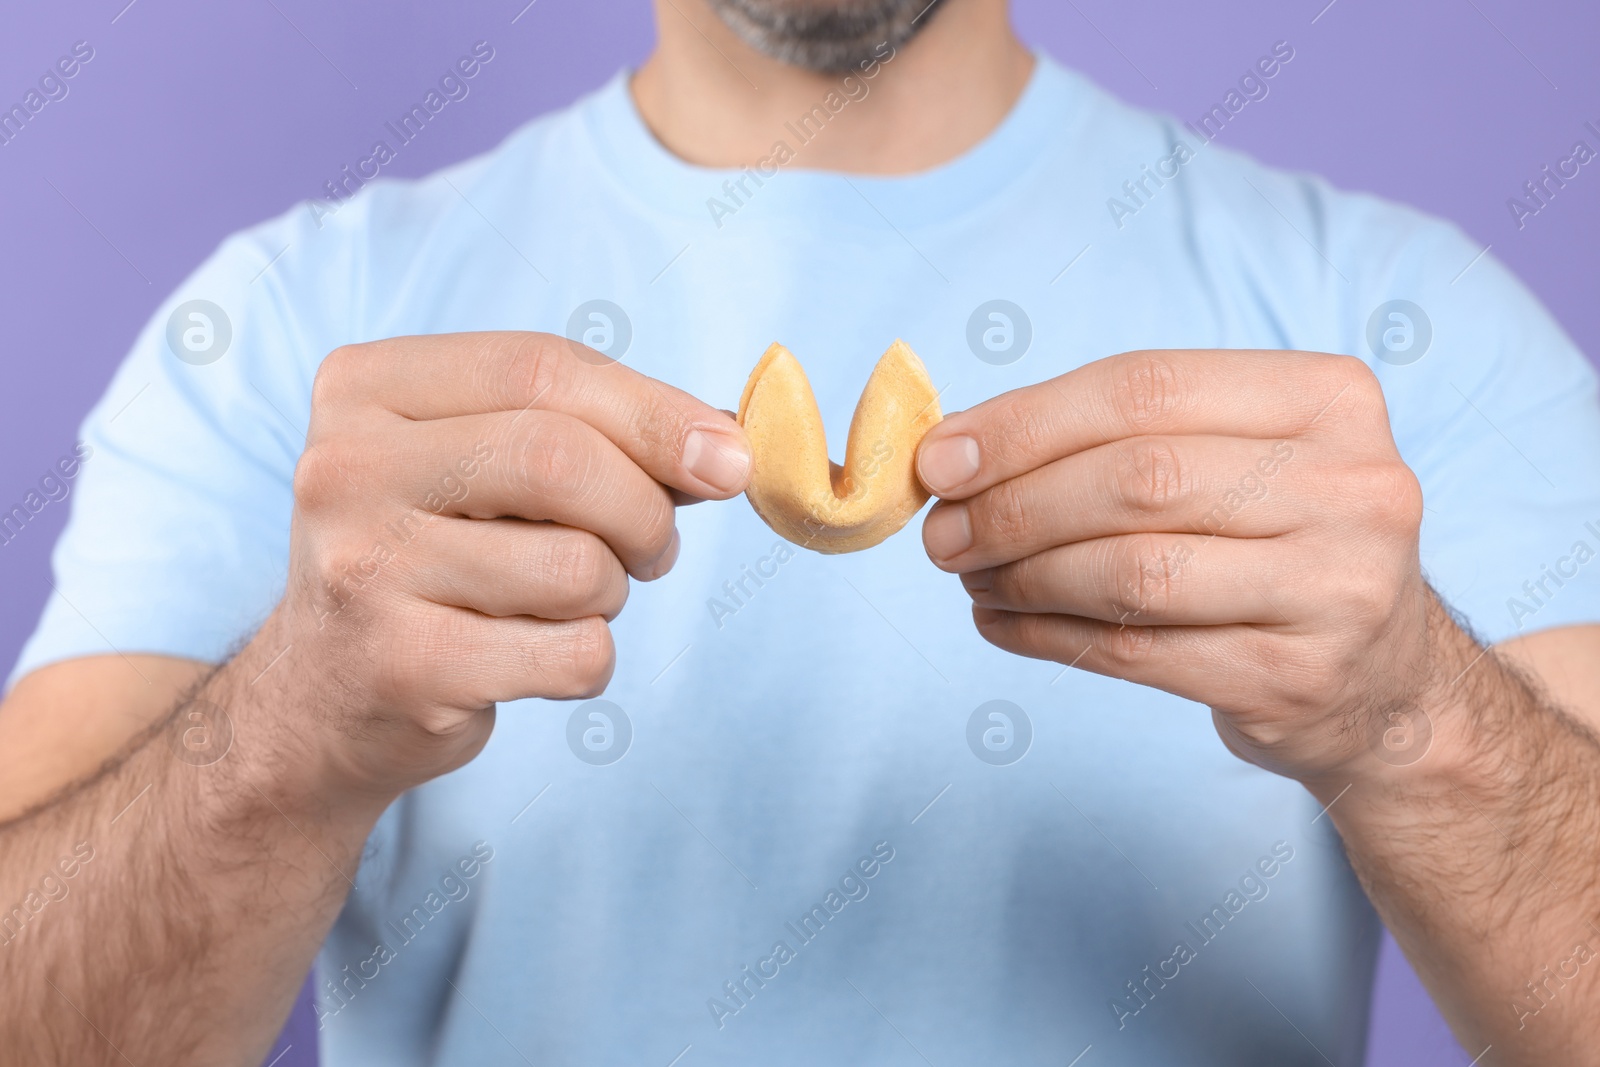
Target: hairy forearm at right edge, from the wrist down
column 1484, row 858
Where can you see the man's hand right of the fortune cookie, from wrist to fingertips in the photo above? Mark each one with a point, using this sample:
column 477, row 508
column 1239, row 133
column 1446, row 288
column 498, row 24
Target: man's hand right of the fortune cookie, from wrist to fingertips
column 1228, row 526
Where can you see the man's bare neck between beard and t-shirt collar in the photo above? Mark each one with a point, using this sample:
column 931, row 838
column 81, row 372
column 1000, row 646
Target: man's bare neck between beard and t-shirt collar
column 714, row 102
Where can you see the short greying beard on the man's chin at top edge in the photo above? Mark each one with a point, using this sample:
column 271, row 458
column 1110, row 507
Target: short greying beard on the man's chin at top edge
column 825, row 36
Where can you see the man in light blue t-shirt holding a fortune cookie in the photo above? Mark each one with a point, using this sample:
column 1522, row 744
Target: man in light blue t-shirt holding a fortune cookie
column 1225, row 439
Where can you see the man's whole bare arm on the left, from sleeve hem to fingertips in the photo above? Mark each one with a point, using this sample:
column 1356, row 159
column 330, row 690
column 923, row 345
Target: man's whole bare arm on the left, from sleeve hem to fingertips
column 468, row 513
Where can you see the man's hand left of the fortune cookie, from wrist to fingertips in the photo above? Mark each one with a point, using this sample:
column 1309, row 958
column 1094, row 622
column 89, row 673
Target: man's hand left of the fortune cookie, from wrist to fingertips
column 468, row 513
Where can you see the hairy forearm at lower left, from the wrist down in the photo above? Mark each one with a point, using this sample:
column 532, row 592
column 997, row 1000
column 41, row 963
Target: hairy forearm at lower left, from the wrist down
column 199, row 895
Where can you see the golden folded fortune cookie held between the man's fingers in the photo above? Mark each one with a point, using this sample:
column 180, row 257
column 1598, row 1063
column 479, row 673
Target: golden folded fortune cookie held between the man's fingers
column 799, row 492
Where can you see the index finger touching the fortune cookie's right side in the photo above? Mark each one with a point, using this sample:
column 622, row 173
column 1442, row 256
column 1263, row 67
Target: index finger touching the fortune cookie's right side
column 1137, row 394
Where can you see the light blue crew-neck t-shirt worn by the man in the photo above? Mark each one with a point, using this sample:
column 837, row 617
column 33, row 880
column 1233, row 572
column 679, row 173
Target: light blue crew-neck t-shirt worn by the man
column 802, row 831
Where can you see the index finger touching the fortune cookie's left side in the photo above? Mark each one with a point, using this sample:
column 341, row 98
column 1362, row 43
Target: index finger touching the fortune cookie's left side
column 676, row 439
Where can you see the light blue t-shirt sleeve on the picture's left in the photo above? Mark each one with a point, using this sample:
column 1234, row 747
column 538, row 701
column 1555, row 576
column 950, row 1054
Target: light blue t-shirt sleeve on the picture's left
column 180, row 513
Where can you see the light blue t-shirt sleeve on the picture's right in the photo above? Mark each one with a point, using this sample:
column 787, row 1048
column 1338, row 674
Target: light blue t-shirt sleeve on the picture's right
column 1498, row 414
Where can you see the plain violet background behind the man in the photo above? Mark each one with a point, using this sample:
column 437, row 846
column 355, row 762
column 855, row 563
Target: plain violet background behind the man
column 198, row 119
